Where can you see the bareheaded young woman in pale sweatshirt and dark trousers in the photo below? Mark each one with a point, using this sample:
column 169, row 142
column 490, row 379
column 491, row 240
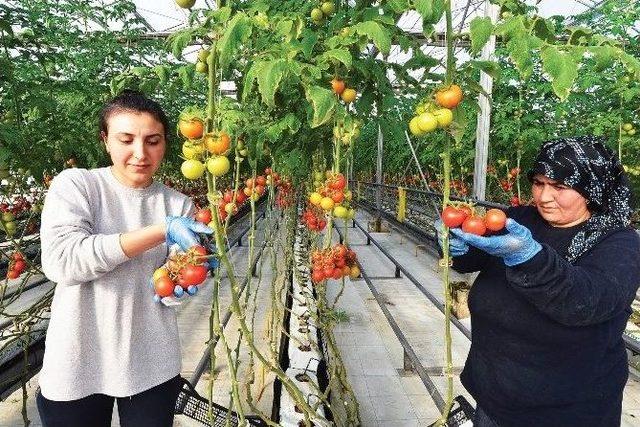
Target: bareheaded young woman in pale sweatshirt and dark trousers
column 104, row 231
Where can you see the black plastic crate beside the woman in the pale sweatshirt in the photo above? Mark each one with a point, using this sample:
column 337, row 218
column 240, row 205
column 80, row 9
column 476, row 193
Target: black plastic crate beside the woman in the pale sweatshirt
column 196, row 407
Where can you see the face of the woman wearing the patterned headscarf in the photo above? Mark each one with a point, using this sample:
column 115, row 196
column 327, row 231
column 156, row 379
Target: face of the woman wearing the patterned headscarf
column 558, row 204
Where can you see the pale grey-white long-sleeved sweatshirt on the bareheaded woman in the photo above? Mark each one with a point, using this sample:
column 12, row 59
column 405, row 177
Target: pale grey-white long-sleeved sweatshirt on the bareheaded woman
column 106, row 334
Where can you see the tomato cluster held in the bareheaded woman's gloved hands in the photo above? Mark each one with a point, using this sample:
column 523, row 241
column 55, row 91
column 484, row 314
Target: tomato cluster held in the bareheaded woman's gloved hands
column 182, row 273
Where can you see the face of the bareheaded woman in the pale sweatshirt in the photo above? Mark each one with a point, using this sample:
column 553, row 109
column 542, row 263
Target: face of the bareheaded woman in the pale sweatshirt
column 136, row 143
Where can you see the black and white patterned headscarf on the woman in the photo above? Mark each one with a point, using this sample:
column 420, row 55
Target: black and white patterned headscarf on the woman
column 592, row 169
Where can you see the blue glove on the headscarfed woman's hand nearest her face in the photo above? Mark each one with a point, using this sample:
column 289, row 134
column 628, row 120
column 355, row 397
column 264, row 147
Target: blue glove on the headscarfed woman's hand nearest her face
column 514, row 248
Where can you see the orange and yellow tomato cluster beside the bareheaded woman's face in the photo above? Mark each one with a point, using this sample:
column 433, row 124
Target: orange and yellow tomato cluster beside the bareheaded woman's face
column 203, row 151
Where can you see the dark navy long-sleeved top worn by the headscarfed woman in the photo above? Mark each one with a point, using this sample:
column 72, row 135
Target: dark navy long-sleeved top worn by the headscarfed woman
column 547, row 346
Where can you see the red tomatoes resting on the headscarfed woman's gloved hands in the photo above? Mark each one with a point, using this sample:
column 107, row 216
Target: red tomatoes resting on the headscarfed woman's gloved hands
column 463, row 215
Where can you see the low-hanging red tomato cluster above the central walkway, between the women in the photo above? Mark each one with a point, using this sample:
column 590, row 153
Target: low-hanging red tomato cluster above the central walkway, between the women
column 333, row 263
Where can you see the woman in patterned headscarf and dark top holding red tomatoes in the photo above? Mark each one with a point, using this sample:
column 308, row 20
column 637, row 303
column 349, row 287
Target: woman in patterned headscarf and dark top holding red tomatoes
column 553, row 296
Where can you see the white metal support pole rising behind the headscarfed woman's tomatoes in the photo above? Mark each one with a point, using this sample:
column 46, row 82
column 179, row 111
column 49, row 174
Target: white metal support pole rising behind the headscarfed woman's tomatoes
column 484, row 115
